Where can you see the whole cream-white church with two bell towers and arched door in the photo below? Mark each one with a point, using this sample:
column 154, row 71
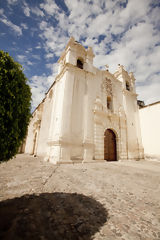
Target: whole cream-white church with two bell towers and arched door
column 87, row 114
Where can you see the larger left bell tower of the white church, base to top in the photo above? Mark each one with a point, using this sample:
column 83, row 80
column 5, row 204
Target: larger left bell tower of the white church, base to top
column 68, row 124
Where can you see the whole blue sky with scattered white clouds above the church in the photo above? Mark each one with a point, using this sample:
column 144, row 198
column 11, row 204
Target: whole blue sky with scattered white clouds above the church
column 127, row 32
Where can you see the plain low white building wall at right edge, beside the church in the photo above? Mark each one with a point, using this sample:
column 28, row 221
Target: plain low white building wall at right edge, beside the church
column 150, row 129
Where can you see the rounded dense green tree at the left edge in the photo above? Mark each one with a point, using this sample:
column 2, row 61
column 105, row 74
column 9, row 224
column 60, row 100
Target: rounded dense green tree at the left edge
column 15, row 103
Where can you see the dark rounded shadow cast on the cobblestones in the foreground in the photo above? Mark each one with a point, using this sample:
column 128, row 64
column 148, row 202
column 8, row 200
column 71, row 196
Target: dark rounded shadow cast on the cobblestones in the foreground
column 51, row 216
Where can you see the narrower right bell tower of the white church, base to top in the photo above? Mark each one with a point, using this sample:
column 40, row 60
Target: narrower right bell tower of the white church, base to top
column 133, row 136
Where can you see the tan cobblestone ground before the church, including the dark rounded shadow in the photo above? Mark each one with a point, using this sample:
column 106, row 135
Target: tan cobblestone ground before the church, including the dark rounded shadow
column 112, row 200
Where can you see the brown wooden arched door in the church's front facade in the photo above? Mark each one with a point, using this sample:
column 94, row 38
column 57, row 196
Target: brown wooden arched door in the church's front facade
column 110, row 149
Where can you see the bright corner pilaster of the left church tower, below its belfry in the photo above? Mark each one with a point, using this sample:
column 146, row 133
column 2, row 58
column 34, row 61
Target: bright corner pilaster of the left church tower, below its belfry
column 60, row 126
